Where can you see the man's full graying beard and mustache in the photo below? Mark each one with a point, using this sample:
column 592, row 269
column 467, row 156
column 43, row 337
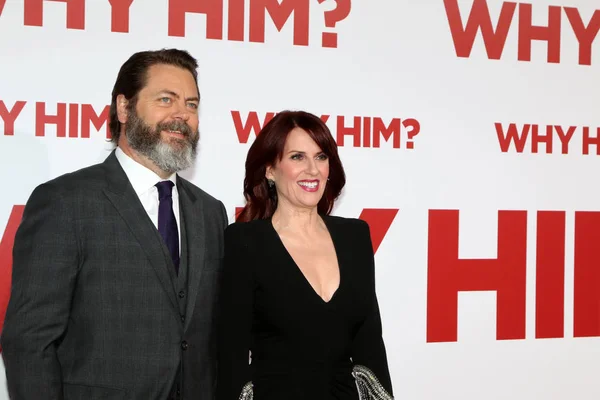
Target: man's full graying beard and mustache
column 171, row 155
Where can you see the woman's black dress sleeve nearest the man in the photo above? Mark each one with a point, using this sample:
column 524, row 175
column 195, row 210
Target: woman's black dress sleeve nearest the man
column 235, row 318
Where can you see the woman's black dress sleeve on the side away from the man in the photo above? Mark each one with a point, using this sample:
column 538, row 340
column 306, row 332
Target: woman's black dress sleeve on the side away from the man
column 368, row 349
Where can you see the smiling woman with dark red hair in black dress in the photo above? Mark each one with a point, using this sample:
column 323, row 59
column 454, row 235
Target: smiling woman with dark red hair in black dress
column 298, row 288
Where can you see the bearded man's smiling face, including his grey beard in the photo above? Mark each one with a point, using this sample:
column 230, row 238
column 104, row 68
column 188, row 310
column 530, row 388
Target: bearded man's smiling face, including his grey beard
column 163, row 124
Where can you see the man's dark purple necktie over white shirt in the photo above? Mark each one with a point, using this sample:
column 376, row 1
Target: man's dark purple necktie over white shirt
column 167, row 224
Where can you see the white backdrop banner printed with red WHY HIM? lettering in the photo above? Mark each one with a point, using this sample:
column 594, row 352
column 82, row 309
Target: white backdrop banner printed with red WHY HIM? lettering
column 469, row 131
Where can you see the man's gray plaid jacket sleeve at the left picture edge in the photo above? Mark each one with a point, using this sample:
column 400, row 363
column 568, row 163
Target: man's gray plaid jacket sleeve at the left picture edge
column 45, row 265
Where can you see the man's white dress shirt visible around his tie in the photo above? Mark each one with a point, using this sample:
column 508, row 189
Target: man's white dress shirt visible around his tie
column 143, row 180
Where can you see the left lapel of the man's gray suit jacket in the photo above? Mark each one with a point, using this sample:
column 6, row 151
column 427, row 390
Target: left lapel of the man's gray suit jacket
column 123, row 197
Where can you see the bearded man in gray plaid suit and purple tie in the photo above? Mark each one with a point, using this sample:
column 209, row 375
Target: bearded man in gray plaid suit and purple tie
column 115, row 266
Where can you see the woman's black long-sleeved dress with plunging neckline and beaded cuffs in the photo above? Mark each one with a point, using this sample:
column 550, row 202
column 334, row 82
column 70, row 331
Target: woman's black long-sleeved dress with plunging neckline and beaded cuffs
column 302, row 346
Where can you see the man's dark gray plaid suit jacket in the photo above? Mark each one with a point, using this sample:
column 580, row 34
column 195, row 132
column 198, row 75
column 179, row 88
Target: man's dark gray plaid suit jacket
column 94, row 313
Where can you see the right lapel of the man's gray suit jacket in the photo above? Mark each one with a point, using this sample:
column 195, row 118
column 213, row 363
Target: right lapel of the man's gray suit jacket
column 193, row 214
